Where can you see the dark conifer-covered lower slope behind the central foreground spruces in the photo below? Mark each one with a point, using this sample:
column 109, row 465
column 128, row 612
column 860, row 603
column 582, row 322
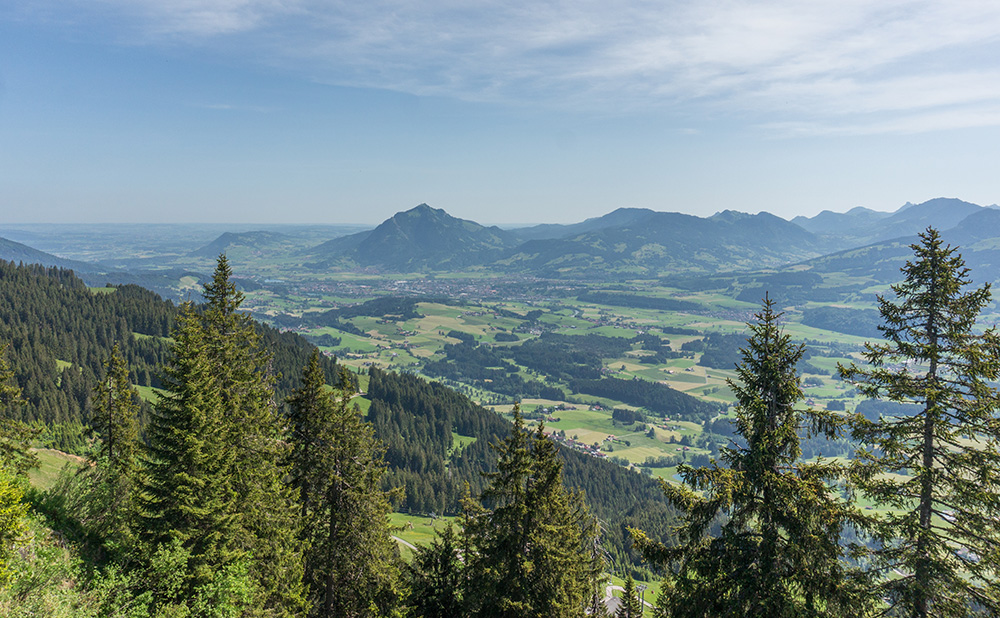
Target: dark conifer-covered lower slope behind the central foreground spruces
column 415, row 420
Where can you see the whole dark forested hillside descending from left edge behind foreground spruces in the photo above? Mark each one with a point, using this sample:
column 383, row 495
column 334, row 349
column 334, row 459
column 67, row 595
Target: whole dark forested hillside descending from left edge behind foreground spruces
column 60, row 332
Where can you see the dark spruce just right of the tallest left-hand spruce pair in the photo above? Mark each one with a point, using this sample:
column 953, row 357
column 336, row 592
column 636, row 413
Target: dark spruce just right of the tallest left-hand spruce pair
column 352, row 562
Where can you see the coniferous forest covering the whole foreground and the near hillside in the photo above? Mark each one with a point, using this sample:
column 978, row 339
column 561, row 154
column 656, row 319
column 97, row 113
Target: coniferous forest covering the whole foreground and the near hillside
column 253, row 485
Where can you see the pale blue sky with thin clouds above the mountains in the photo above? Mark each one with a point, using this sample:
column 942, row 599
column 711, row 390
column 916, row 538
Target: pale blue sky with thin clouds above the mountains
column 504, row 112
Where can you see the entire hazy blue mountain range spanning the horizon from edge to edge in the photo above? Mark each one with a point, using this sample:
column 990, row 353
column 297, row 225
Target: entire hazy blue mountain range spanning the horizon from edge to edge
column 625, row 243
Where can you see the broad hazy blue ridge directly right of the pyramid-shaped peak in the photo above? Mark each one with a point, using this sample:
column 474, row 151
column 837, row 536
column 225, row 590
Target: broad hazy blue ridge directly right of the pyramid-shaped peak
column 663, row 242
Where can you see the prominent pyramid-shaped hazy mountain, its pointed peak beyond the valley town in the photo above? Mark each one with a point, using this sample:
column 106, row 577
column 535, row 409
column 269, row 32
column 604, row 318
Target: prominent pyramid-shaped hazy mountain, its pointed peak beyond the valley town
column 422, row 238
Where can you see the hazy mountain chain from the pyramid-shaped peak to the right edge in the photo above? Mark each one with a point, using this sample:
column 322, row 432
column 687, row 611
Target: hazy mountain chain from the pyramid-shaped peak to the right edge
column 630, row 242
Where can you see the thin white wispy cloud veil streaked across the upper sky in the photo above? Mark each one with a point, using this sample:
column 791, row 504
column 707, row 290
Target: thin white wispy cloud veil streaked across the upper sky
column 832, row 65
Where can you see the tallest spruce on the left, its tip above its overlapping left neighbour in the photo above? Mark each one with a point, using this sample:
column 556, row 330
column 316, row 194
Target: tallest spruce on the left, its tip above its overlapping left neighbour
column 250, row 431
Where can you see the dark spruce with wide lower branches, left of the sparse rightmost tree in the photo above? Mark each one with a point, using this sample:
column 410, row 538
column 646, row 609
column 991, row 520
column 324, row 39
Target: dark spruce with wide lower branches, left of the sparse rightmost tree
column 779, row 552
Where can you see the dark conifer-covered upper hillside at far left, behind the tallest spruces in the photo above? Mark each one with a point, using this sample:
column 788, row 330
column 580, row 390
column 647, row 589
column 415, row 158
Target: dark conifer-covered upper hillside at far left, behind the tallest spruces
column 60, row 332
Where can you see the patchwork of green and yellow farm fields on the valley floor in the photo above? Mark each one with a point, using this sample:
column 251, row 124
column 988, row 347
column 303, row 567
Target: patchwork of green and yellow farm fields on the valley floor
column 655, row 445
